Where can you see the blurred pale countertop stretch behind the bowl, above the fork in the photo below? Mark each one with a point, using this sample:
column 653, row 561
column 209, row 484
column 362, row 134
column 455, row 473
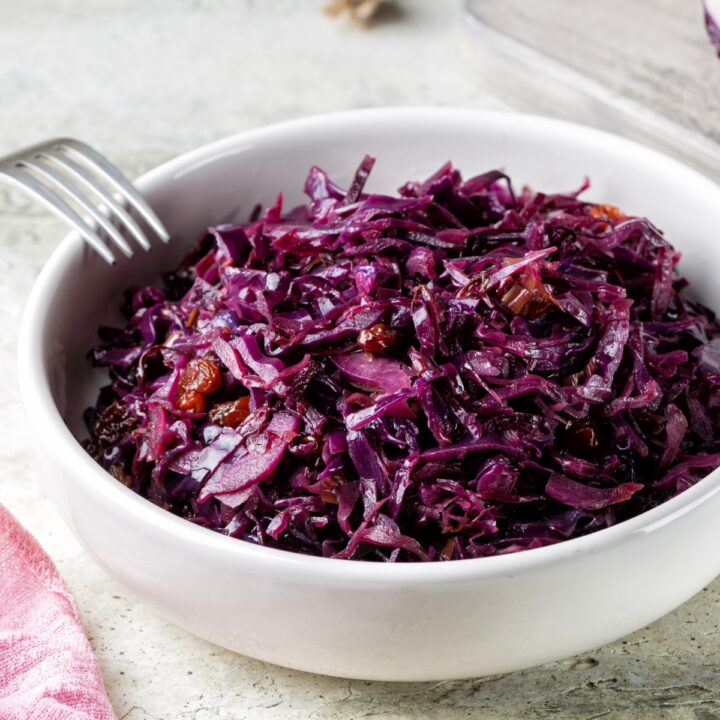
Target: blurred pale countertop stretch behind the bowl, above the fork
column 146, row 79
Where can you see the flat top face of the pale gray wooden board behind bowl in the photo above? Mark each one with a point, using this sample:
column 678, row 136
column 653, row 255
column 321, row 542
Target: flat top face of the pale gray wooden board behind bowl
column 655, row 52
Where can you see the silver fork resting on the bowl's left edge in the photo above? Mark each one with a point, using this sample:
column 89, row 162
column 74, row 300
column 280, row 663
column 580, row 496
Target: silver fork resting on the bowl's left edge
column 59, row 170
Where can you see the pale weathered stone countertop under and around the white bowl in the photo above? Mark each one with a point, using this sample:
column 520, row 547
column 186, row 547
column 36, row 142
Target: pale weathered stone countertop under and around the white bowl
column 144, row 81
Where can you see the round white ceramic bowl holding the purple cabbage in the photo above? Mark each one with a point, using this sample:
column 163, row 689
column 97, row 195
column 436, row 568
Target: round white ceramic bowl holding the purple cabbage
column 351, row 618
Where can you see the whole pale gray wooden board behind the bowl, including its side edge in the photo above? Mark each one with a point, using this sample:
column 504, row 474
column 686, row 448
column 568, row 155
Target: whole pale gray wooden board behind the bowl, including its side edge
column 645, row 69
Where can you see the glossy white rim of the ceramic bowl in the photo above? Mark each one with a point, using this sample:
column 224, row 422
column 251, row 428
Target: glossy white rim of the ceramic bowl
column 42, row 411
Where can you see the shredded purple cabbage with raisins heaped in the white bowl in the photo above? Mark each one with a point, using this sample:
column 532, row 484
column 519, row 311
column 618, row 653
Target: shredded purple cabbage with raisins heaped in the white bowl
column 455, row 372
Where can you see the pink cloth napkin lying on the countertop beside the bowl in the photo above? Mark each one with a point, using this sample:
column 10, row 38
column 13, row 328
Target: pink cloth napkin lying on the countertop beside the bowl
column 47, row 667
